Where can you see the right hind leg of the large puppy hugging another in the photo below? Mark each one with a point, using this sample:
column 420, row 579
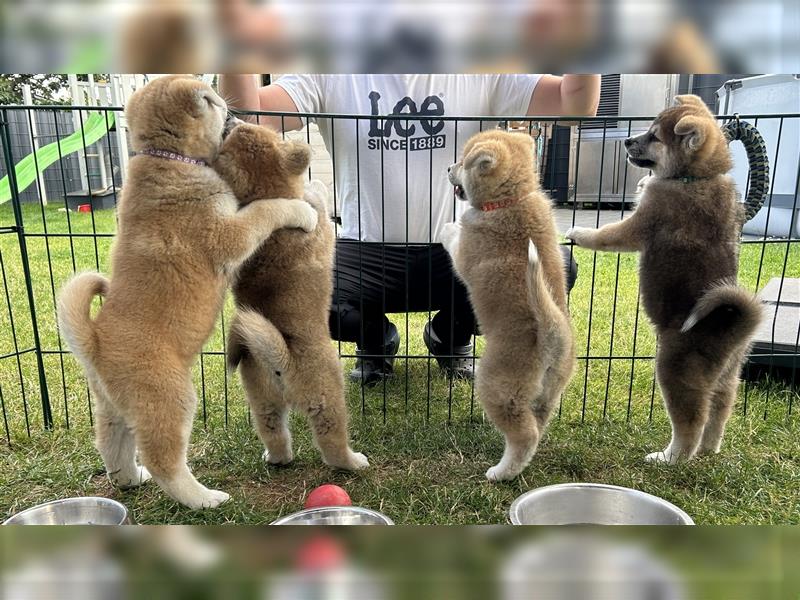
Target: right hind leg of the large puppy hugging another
column 164, row 414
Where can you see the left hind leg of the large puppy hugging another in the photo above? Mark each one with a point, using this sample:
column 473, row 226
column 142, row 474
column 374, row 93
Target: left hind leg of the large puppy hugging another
column 115, row 442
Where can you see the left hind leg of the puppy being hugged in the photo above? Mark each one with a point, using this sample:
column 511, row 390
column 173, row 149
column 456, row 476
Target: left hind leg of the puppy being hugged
column 269, row 409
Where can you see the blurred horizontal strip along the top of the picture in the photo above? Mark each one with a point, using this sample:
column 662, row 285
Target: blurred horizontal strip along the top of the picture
column 629, row 36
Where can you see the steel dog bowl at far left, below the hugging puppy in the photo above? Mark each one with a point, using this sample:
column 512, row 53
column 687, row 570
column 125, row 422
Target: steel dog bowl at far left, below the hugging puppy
column 73, row 511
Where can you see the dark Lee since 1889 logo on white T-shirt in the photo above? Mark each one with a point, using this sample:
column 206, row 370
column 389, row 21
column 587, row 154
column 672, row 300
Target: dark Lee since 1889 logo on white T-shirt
column 380, row 133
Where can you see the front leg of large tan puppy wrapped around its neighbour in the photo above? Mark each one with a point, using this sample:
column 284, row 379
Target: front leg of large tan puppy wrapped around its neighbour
column 243, row 232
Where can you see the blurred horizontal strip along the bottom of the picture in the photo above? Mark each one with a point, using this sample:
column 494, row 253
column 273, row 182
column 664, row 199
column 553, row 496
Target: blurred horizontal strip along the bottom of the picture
column 507, row 563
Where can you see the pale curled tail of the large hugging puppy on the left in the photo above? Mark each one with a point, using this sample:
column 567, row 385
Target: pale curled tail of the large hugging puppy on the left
column 74, row 320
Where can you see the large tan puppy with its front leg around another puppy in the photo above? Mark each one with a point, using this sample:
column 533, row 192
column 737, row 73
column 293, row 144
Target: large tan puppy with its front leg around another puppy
column 181, row 233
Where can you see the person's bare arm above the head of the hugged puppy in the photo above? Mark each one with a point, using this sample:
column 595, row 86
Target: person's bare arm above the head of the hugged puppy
column 242, row 92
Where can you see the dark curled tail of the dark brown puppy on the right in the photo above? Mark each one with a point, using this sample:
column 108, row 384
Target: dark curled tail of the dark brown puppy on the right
column 727, row 309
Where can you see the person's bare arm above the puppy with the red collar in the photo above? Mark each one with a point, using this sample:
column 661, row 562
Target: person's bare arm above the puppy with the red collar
column 569, row 95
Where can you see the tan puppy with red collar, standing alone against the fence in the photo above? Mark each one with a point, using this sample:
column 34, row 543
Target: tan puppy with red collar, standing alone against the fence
column 506, row 251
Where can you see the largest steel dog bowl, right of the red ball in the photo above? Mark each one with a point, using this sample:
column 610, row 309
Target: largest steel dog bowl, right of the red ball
column 594, row 504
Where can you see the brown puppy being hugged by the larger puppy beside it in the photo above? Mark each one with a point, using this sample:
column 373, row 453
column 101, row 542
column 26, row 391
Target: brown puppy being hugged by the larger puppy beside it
column 280, row 336
